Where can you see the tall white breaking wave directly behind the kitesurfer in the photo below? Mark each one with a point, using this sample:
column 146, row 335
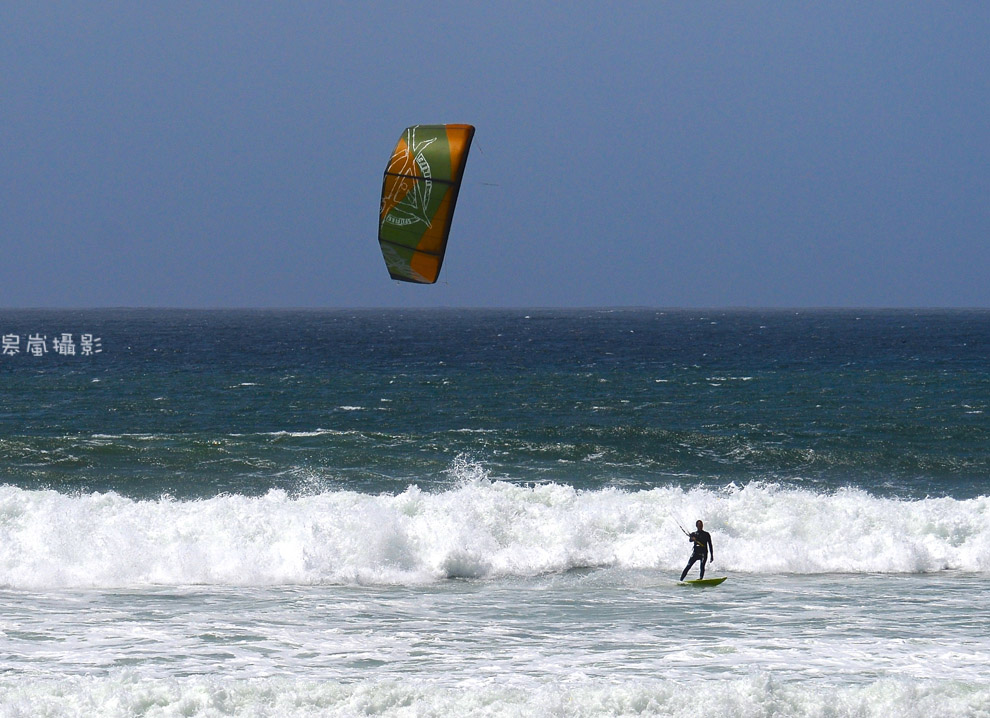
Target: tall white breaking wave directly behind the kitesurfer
column 477, row 528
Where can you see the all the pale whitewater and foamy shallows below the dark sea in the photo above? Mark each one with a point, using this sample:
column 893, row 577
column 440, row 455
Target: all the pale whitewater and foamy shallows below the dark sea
column 490, row 598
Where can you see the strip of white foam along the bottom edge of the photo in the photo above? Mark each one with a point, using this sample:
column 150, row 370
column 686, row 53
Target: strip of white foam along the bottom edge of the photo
column 128, row 694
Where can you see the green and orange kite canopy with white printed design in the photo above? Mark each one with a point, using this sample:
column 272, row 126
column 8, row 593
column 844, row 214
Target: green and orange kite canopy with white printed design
column 418, row 197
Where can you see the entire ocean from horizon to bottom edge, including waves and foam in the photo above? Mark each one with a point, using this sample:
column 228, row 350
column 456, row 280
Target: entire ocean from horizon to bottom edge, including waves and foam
column 479, row 512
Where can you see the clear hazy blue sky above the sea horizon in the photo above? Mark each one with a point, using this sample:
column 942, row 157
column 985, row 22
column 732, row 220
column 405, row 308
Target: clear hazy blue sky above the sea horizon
column 662, row 154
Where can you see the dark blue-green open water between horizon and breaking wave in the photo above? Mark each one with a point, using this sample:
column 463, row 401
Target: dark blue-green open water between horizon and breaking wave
column 199, row 403
